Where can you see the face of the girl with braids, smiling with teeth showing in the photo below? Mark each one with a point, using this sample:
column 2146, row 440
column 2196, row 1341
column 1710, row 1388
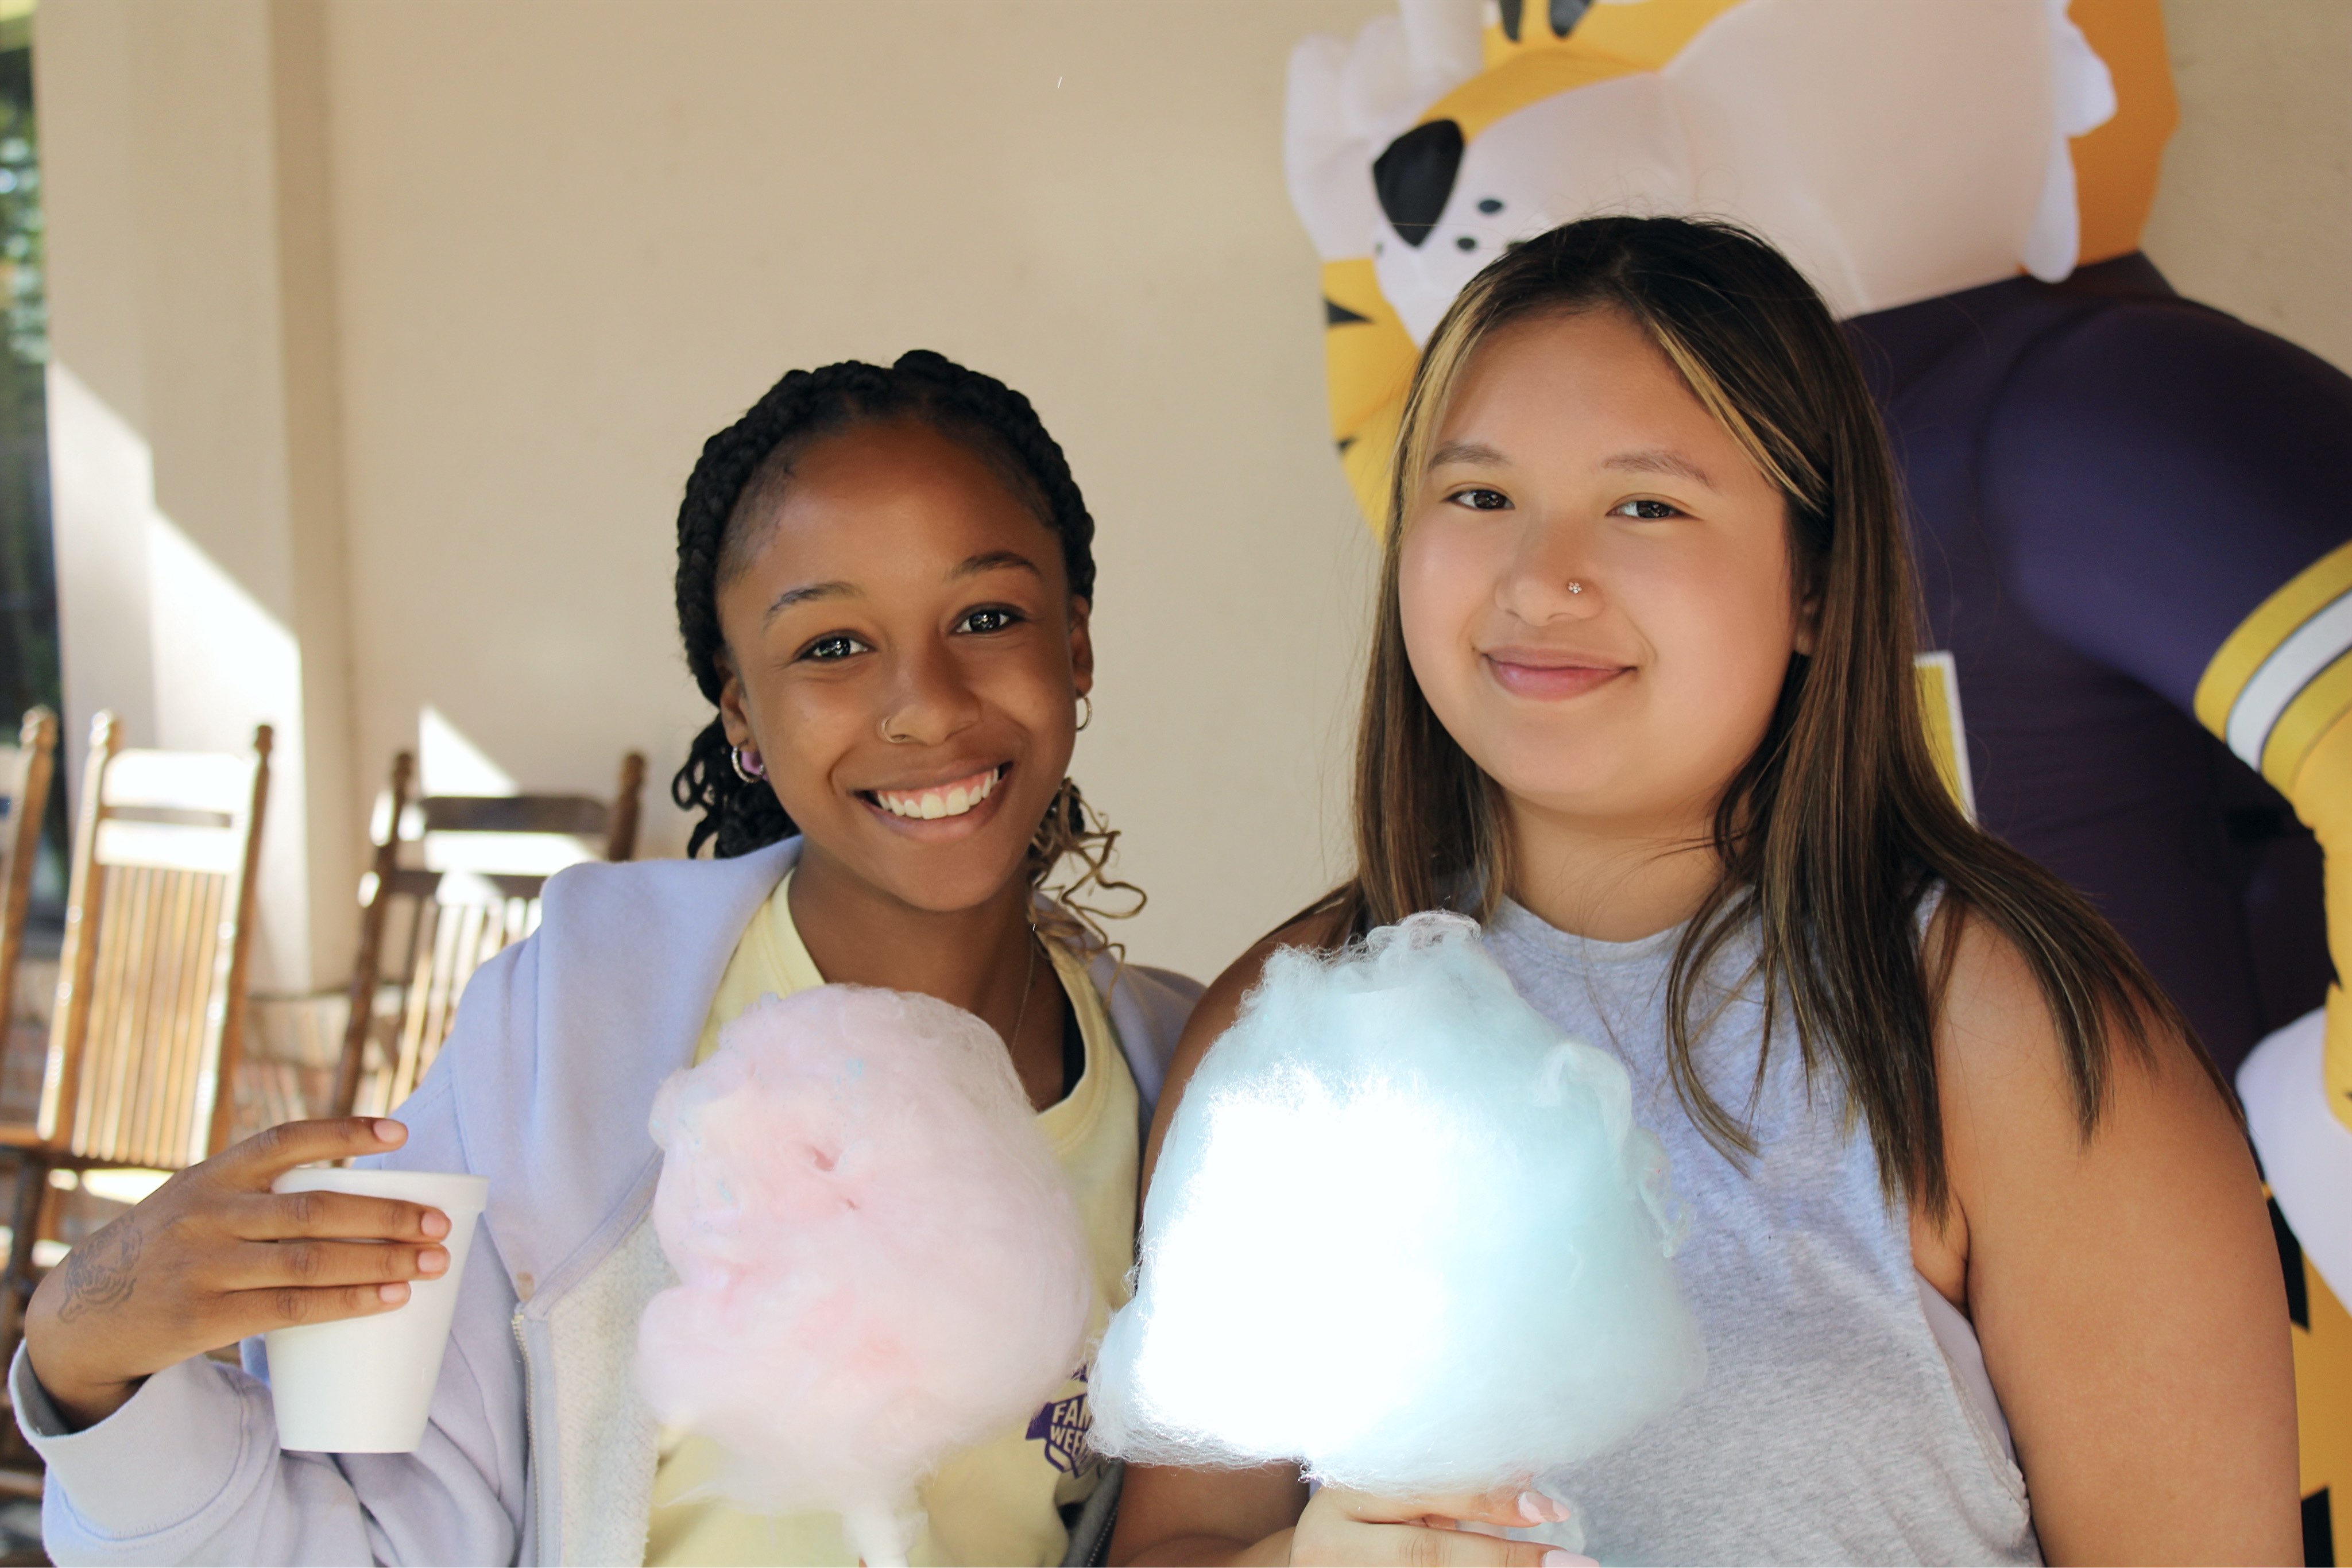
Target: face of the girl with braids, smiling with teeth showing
column 904, row 652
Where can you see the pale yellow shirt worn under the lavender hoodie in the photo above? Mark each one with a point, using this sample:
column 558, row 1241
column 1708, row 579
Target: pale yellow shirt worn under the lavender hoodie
column 998, row 1501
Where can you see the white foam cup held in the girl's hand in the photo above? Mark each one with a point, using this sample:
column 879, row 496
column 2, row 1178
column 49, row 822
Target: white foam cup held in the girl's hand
column 366, row 1383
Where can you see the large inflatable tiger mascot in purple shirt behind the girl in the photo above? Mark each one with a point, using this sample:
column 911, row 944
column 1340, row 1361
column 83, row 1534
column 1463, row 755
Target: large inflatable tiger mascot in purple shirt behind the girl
column 2127, row 509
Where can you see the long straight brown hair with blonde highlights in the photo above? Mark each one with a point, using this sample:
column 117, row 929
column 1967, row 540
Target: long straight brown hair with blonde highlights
column 1836, row 831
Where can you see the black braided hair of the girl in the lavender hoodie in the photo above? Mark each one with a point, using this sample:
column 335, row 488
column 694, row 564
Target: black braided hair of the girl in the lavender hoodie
column 963, row 406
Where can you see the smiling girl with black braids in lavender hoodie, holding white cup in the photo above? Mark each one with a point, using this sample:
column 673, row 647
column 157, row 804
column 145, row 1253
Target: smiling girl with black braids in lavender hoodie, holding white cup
column 883, row 584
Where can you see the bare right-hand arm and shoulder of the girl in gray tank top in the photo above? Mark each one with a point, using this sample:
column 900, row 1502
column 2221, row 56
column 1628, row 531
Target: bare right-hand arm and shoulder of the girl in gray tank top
column 2123, row 1280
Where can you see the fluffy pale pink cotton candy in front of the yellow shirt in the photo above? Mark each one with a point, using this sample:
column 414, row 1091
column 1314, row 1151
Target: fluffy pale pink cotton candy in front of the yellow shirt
column 881, row 1259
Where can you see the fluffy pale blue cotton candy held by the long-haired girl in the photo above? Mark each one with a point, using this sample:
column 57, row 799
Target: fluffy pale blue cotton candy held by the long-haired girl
column 1401, row 1233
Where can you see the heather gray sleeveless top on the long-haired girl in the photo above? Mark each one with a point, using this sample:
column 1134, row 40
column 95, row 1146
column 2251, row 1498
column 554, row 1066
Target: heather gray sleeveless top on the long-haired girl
column 1845, row 1416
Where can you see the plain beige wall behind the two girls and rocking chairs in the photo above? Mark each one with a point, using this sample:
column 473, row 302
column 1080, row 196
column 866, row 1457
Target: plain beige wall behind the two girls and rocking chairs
column 389, row 330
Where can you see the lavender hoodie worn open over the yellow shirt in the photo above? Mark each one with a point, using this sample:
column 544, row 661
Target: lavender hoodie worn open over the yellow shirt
column 540, row 1447
